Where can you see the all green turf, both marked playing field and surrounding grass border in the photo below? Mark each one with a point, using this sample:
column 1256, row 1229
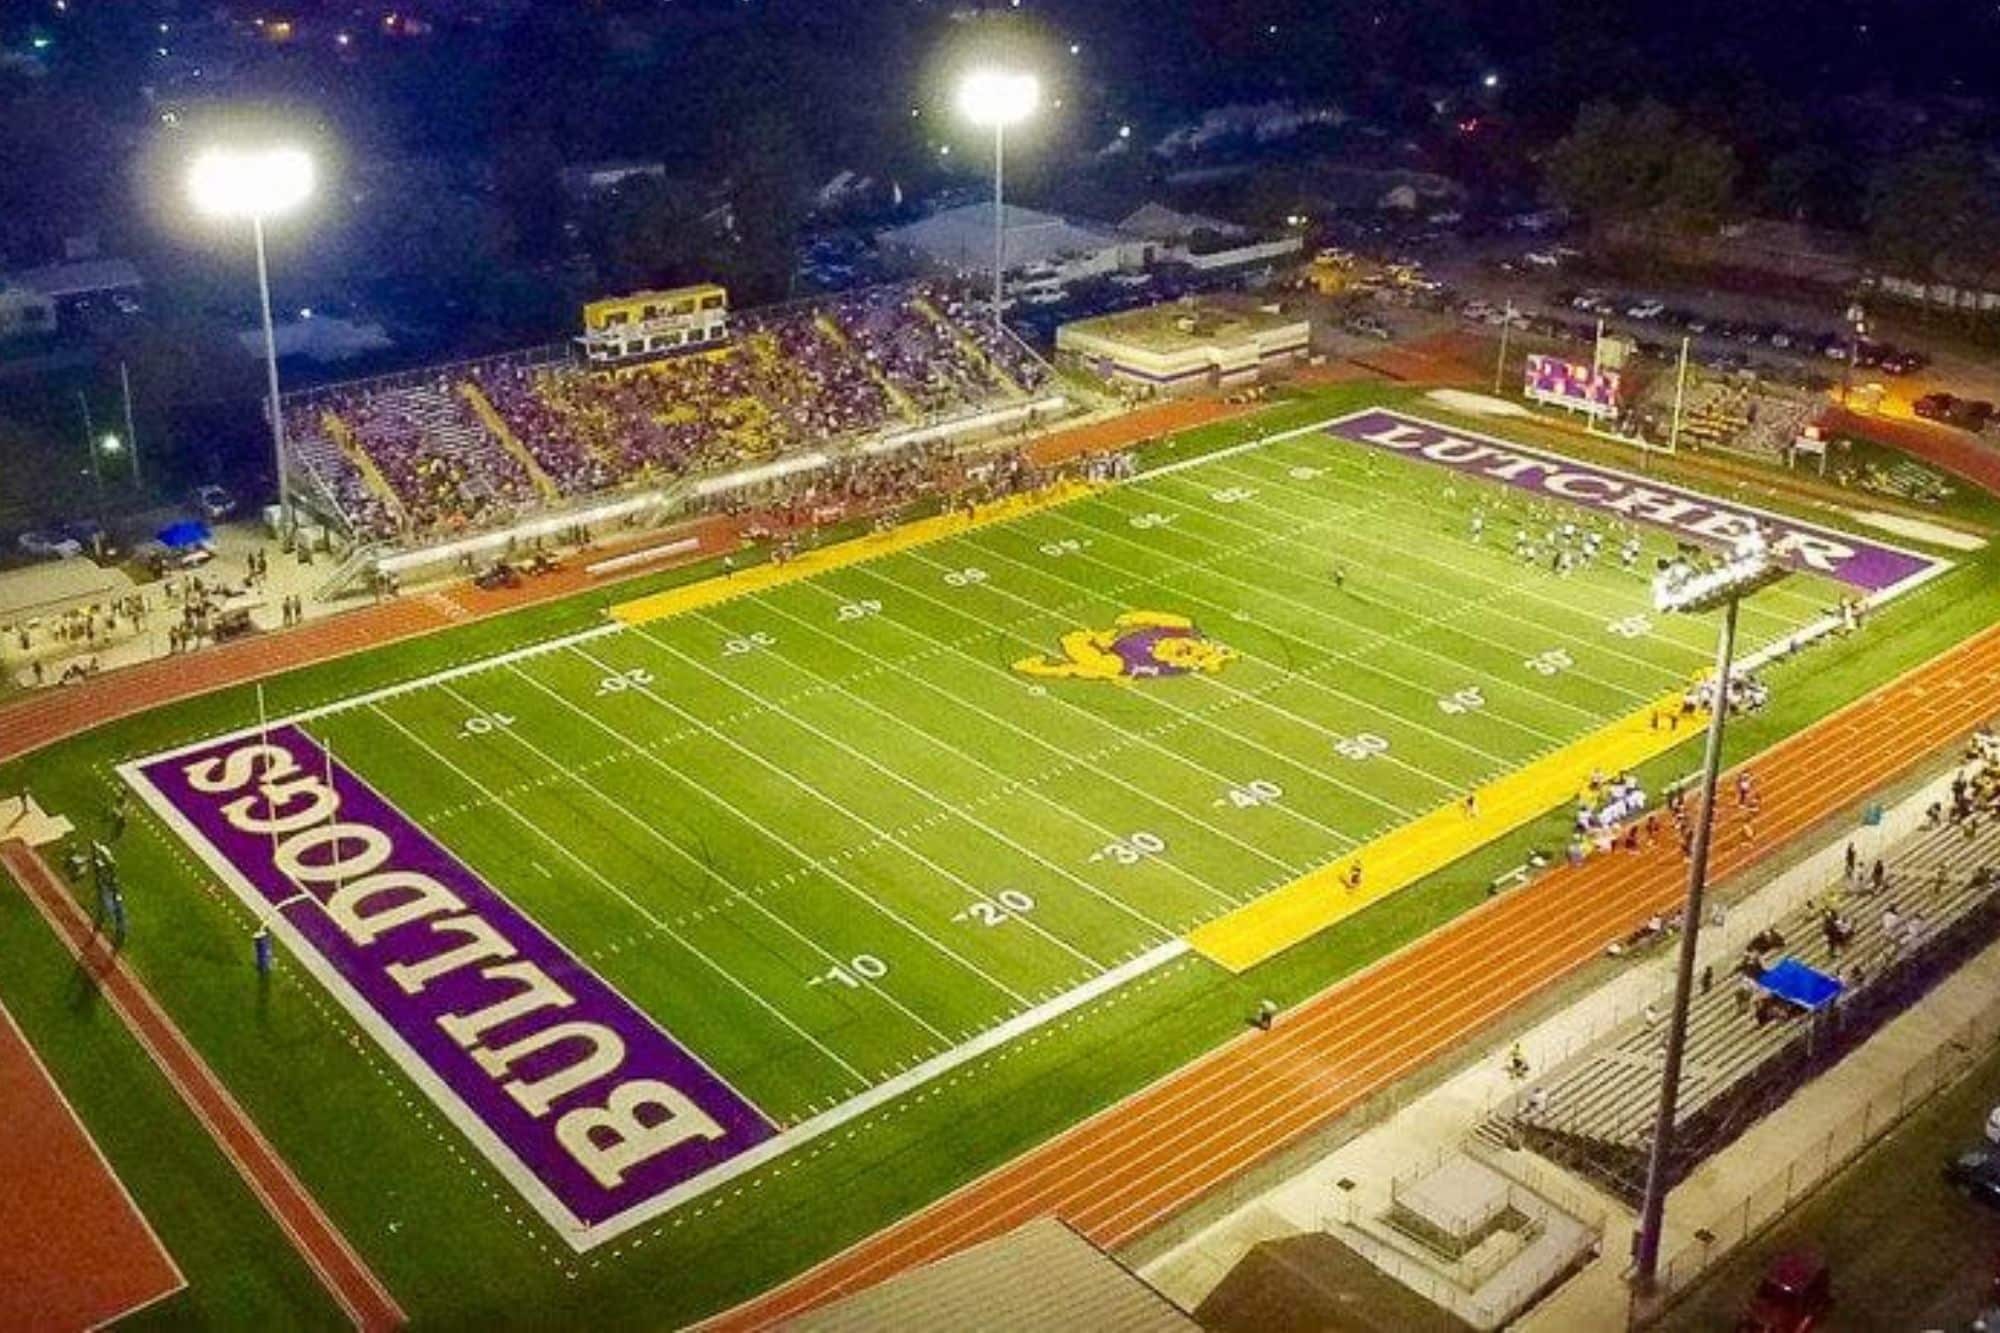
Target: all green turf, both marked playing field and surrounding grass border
column 831, row 834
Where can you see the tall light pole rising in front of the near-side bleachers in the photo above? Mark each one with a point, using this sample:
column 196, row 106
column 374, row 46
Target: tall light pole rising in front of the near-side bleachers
column 1687, row 589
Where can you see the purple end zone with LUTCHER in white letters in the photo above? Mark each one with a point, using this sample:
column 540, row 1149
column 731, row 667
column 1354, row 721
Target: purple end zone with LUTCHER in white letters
column 1691, row 515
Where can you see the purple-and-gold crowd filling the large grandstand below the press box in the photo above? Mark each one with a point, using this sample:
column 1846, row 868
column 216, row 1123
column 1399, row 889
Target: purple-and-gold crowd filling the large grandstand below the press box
column 467, row 449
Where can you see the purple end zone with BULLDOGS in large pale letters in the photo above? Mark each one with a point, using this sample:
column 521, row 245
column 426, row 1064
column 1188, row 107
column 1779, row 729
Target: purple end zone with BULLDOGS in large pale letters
column 581, row 1090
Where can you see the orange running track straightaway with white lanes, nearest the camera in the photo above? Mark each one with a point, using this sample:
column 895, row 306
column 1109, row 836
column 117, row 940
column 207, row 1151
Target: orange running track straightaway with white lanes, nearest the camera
column 1127, row 1170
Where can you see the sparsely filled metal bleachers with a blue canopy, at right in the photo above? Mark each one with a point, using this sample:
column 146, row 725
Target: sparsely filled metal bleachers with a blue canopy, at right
column 1597, row 1112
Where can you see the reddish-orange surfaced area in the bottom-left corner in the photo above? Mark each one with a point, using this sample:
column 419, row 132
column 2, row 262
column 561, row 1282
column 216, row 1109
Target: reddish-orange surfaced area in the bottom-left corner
column 75, row 1250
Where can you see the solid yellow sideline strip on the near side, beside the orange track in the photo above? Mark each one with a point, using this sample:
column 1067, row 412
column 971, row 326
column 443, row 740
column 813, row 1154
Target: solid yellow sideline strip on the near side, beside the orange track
column 1429, row 844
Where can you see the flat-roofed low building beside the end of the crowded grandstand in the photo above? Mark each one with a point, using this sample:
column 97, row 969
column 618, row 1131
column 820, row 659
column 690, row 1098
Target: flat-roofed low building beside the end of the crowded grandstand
column 1189, row 345
